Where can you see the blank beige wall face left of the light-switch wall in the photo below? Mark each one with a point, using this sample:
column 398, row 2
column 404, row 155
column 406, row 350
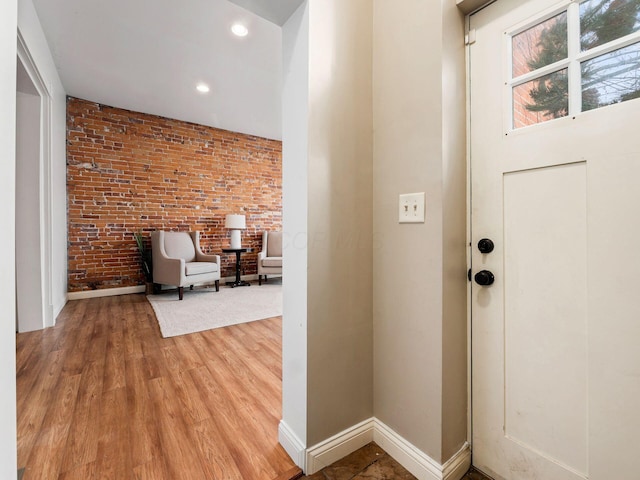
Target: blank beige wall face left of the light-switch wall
column 340, row 200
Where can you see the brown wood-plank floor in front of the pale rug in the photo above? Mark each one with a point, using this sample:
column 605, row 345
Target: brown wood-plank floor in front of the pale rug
column 103, row 395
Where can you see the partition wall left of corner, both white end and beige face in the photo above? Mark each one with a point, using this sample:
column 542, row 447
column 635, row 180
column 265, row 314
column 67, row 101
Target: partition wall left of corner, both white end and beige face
column 327, row 212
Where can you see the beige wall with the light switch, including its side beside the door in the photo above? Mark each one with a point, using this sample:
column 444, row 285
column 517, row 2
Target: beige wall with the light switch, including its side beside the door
column 419, row 287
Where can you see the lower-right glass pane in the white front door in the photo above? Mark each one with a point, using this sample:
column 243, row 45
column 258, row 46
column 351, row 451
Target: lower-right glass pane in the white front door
column 611, row 78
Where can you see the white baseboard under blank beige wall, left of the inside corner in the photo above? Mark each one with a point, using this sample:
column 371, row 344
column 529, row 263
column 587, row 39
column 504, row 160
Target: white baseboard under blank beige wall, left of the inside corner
column 339, row 446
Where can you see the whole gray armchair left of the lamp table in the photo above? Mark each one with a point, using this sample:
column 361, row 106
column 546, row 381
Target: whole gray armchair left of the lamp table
column 178, row 260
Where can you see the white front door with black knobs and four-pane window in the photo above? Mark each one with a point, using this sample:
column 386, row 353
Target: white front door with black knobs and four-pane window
column 555, row 187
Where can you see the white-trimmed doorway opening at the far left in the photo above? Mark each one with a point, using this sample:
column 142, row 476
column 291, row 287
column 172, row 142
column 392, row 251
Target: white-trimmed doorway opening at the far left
column 34, row 309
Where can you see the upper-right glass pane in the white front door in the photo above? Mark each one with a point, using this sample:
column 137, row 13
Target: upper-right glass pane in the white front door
column 602, row 21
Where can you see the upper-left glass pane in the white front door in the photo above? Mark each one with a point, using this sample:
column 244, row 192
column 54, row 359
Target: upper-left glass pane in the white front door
column 540, row 45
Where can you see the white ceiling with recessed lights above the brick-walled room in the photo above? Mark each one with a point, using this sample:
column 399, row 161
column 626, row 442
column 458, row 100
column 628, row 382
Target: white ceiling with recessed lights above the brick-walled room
column 148, row 56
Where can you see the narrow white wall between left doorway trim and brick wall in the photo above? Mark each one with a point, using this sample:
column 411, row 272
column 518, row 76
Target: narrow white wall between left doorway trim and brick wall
column 55, row 172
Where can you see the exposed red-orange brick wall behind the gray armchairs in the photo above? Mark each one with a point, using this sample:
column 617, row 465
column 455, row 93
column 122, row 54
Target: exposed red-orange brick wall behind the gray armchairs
column 129, row 172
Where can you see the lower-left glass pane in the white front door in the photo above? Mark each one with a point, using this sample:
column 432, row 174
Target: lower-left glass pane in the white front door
column 542, row 99
